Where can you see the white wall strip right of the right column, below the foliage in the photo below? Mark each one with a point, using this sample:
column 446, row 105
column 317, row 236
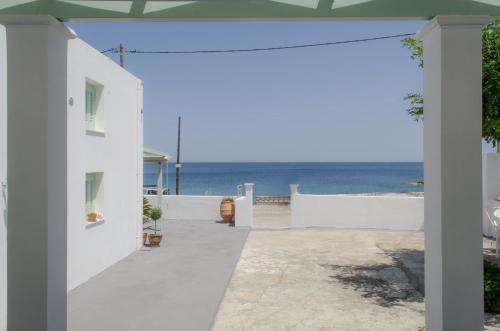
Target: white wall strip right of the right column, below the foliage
column 491, row 189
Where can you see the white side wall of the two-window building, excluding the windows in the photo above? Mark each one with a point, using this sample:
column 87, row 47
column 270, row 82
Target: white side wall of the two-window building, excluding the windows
column 117, row 153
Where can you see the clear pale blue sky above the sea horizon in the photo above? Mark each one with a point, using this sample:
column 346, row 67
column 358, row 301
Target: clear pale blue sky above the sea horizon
column 333, row 103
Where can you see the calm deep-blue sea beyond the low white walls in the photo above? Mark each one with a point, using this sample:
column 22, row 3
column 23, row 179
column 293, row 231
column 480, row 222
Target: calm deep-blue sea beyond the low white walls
column 274, row 178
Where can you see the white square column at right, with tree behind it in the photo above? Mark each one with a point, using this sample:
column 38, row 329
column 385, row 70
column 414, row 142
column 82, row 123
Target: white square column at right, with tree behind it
column 452, row 150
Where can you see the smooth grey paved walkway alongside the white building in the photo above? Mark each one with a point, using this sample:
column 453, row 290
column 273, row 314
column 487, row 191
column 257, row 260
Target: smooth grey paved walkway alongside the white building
column 175, row 287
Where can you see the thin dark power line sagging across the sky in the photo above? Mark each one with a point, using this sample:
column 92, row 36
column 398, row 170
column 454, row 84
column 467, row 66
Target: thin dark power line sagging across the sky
column 263, row 49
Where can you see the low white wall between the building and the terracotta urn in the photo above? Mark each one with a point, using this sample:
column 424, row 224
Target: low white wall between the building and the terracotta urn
column 189, row 207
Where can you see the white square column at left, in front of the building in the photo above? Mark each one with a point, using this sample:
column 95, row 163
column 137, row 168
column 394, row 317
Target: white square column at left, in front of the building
column 37, row 172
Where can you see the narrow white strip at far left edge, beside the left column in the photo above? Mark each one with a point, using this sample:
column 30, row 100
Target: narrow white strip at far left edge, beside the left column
column 3, row 180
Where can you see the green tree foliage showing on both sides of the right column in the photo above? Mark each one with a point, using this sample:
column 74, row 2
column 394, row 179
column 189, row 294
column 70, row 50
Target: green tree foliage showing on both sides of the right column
column 491, row 81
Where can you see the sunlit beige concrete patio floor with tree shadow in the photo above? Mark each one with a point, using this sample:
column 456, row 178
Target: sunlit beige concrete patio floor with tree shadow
column 328, row 280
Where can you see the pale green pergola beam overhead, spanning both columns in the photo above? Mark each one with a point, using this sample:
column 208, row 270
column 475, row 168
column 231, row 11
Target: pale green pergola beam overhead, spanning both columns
column 145, row 10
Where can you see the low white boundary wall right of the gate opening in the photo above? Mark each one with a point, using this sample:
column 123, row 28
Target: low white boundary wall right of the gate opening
column 357, row 211
